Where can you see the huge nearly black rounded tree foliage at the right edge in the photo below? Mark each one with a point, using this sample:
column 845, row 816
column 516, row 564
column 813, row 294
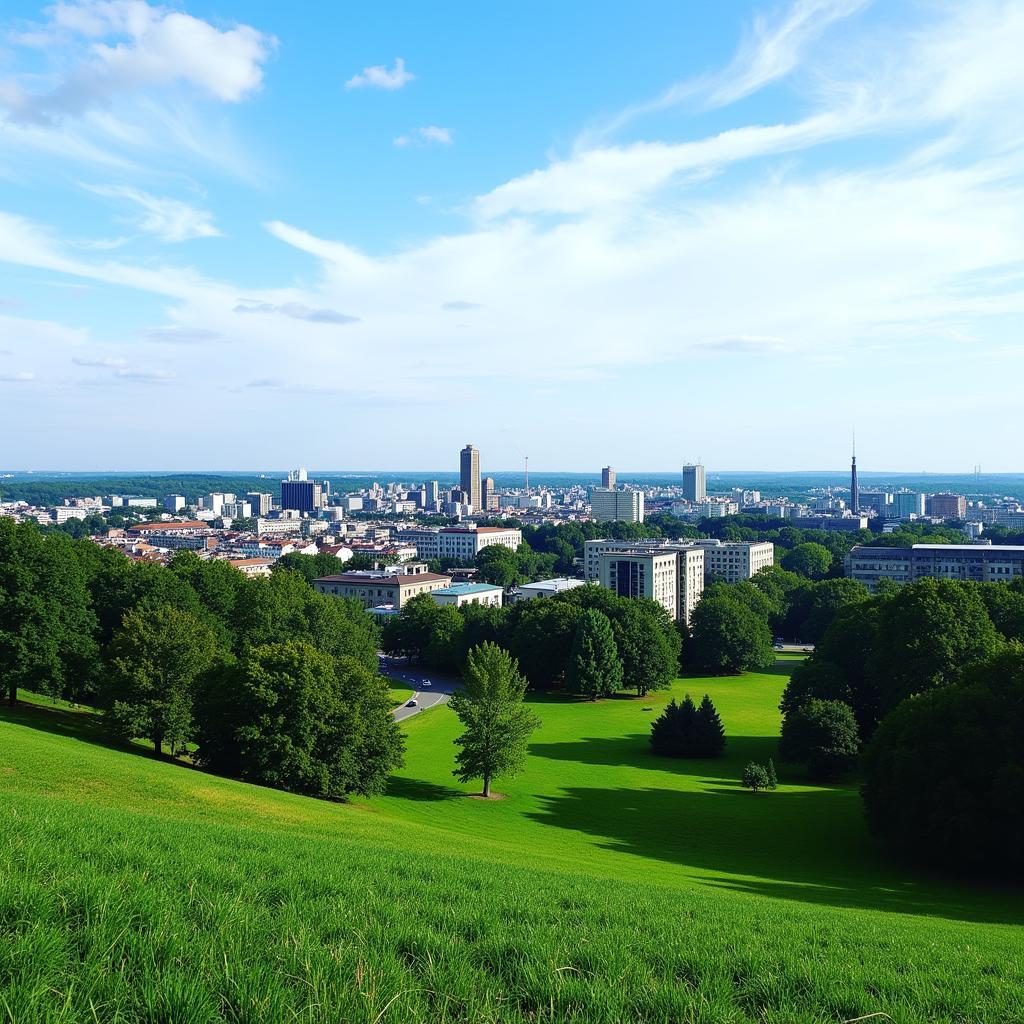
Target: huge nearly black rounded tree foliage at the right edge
column 945, row 775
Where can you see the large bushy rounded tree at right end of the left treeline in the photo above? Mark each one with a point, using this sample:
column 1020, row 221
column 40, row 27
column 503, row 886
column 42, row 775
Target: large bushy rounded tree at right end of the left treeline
column 290, row 716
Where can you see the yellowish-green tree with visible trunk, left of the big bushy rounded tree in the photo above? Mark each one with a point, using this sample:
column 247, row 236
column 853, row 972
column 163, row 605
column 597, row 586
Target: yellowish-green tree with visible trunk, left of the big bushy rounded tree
column 155, row 660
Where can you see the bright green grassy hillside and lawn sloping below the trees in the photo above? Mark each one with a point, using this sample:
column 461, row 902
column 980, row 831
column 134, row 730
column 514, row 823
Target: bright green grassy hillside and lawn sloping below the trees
column 608, row 886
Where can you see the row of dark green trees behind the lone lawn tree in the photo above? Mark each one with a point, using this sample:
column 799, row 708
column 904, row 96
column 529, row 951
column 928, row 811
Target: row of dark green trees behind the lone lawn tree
column 587, row 641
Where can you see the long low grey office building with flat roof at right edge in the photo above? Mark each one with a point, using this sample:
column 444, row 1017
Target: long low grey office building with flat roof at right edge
column 979, row 563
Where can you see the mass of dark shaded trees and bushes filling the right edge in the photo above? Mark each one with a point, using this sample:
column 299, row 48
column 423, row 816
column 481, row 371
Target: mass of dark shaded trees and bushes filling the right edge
column 924, row 684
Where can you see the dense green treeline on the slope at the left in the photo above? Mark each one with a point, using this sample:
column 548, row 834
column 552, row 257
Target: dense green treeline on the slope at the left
column 262, row 679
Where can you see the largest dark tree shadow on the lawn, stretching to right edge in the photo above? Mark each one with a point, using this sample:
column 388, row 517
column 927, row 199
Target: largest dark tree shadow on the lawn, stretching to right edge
column 809, row 846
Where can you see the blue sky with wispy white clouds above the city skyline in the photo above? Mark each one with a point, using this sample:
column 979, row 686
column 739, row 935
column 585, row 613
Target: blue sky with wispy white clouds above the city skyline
column 238, row 235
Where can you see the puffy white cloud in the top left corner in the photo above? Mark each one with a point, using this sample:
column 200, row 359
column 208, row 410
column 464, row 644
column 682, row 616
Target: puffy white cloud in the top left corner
column 118, row 48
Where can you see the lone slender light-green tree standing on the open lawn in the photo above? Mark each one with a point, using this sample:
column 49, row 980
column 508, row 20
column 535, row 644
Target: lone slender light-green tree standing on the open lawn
column 497, row 723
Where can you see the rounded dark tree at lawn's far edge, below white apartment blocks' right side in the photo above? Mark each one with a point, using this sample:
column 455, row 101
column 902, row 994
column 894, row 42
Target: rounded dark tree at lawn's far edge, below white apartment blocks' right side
column 729, row 637
